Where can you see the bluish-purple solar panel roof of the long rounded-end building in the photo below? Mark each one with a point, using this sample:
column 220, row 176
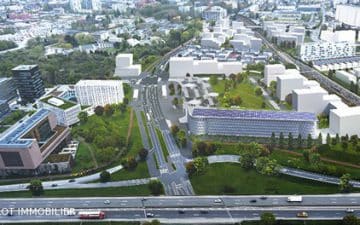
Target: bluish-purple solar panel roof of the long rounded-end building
column 245, row 114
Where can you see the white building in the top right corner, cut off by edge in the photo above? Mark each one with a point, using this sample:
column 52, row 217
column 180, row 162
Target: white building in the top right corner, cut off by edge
column 348, row 14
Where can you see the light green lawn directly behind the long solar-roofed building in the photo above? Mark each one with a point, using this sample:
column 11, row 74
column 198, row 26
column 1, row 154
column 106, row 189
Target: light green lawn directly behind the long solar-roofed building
column 246, row 91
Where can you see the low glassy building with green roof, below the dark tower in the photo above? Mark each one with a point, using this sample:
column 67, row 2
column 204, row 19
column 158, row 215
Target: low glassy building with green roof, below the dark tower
column 66, row 111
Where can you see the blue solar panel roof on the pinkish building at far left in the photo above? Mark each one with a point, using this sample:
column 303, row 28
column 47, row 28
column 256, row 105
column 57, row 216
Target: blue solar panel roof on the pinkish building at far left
column 13, row 137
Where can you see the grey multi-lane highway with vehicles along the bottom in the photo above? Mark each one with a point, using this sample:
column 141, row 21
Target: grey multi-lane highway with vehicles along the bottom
column 209, row 209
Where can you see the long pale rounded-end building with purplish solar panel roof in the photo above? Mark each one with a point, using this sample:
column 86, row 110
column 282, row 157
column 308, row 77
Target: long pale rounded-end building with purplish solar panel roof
column 210, row 121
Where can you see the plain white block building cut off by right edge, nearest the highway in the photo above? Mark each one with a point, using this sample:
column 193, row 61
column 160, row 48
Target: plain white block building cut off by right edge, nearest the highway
column 345, row 121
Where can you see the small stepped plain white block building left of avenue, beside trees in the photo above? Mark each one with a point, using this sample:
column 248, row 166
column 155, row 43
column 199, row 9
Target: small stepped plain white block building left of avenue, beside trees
column 124, row 66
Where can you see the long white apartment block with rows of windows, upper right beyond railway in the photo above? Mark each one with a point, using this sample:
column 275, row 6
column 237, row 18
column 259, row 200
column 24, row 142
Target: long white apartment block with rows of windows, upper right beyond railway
column 326, row 50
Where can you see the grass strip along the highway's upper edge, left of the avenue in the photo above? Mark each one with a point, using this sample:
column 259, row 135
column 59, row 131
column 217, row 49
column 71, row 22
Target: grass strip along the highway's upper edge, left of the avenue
column 140, row 190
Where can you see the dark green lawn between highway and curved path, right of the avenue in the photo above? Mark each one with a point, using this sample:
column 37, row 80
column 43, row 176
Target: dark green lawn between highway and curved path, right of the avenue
column 230, row 178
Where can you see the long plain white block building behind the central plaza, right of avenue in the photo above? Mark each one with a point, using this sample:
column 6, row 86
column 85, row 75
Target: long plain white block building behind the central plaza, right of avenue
column 180, row 66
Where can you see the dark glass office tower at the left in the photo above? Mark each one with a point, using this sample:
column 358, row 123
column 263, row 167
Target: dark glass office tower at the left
column 29, row 82
